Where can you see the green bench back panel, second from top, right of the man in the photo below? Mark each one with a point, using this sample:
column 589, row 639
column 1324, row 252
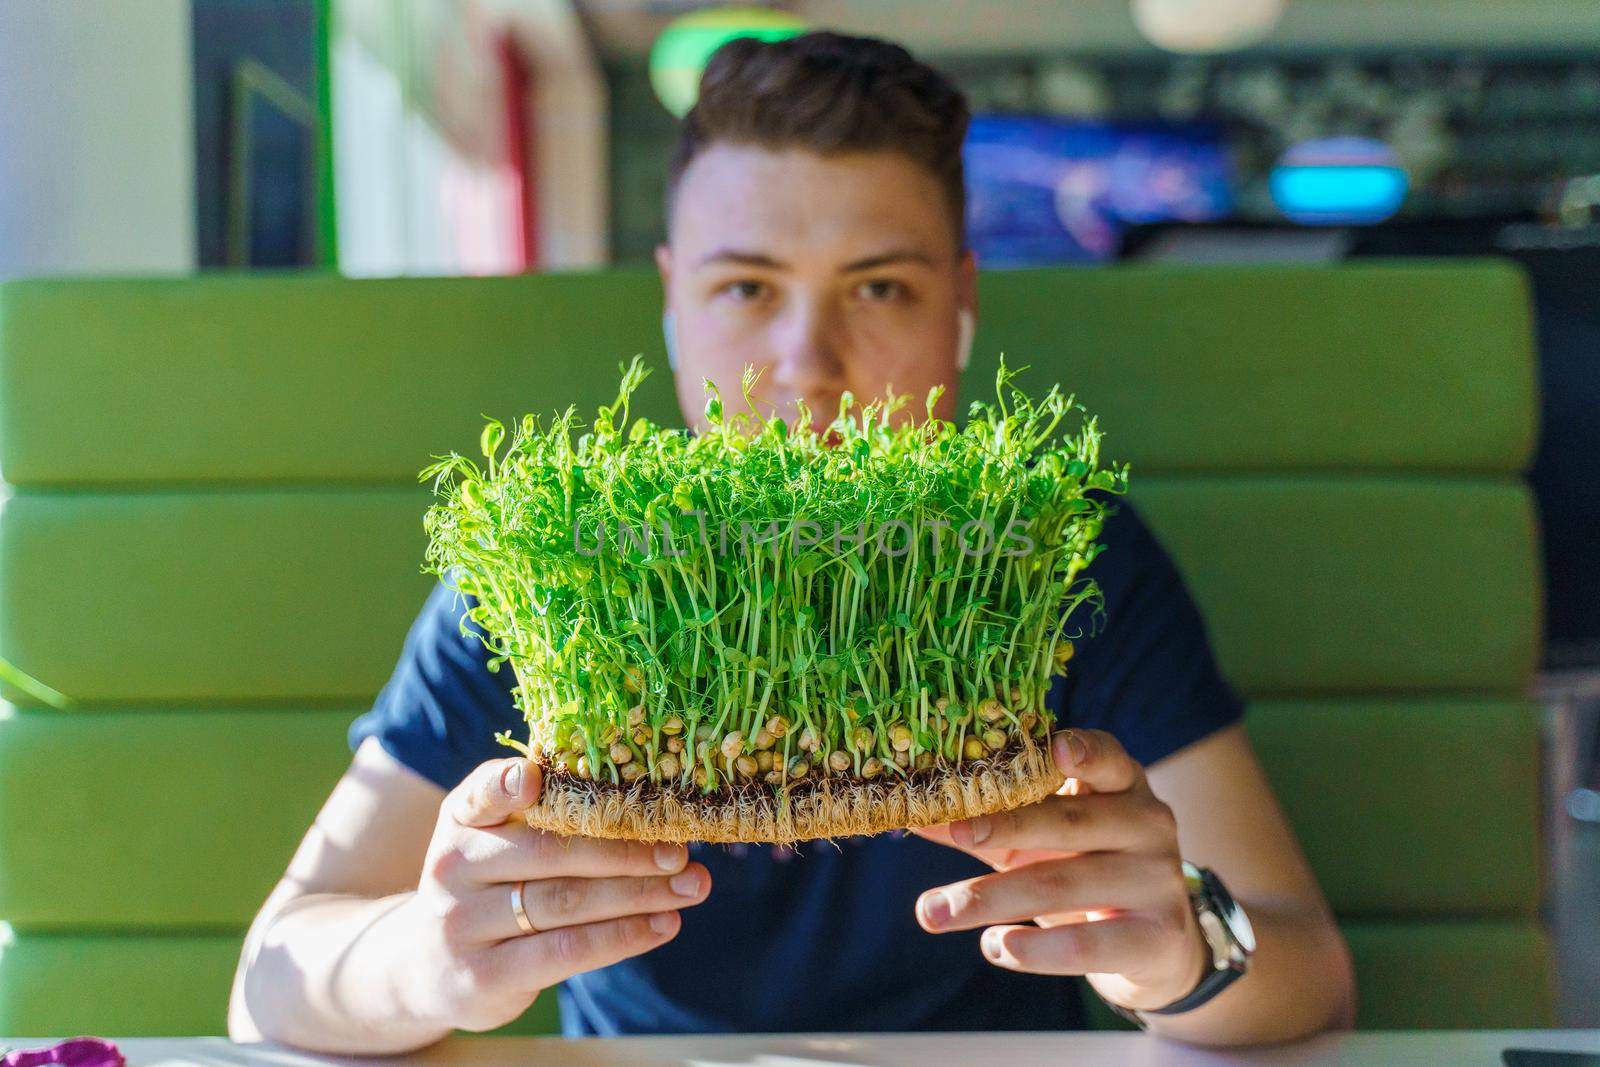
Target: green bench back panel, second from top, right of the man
column 1359, row 585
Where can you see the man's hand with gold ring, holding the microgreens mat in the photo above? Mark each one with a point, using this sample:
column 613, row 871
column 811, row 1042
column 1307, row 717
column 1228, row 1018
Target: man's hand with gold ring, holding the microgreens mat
column 593, row 901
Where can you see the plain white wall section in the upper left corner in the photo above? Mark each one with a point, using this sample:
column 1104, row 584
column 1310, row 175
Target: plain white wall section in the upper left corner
column 97, row 138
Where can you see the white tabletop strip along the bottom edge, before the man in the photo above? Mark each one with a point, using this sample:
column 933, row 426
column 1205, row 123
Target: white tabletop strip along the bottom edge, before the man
column 1431, row 1049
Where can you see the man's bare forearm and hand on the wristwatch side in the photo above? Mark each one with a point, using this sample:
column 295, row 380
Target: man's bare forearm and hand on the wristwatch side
column 1098, row 869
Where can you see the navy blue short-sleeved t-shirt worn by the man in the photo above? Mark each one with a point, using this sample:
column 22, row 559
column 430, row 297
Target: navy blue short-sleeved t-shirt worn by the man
column 825, row 937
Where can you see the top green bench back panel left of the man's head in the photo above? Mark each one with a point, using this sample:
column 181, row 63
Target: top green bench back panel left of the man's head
column 300, row 378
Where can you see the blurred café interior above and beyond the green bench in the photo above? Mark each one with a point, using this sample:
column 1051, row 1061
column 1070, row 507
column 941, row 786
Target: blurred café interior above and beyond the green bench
column 386, row 138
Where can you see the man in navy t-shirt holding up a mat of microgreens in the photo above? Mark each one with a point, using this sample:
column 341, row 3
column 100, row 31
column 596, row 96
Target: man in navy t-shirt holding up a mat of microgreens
column 815, row 233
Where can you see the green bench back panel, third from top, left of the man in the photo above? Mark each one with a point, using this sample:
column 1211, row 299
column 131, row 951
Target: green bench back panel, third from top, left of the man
column 177, row 820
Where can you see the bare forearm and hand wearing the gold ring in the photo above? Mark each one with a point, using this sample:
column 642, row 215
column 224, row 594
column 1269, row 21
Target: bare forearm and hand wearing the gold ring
column 394, row 925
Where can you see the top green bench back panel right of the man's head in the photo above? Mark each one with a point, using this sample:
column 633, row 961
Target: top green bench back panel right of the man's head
column 1383, row 366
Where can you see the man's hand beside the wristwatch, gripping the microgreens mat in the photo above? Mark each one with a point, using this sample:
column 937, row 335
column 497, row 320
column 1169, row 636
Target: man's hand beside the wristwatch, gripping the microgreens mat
column 1097, row 868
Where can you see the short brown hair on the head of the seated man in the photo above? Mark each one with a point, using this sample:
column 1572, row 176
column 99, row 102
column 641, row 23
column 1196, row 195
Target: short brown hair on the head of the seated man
column 830, row 94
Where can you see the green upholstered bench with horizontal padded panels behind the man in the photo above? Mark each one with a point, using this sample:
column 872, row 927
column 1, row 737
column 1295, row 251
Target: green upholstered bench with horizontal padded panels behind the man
column 212, row 541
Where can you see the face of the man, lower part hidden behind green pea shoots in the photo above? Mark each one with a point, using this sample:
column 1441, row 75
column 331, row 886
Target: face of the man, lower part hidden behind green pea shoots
column 826, row 274
